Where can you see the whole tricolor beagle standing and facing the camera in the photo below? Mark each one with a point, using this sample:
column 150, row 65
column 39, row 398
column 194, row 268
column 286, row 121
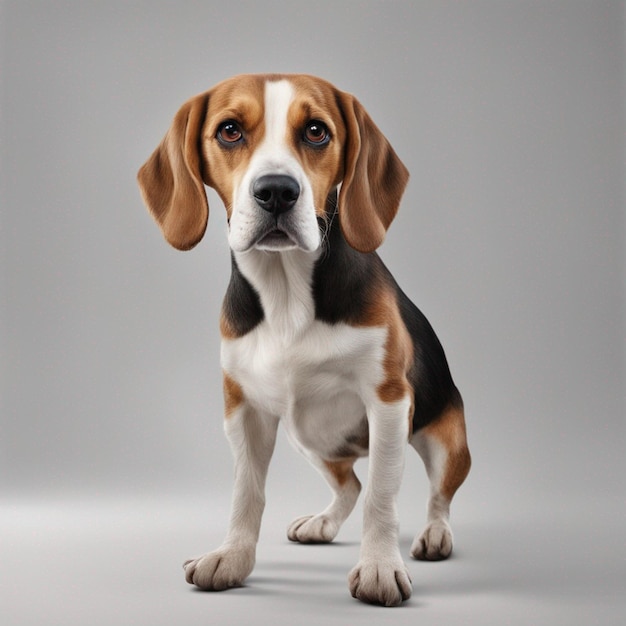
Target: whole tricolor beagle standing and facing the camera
column 316, row 333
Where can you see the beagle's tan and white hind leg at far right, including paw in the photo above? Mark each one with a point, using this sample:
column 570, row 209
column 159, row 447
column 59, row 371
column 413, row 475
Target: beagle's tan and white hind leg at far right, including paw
column 443, row 448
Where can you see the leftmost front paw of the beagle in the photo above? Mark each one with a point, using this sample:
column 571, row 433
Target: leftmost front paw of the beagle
column 225, row 568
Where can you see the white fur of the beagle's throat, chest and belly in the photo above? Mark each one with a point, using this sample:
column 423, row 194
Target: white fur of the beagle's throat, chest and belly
column 318, row 378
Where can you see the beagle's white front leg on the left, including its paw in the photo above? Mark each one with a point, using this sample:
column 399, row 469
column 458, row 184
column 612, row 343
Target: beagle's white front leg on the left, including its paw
column 252, row 437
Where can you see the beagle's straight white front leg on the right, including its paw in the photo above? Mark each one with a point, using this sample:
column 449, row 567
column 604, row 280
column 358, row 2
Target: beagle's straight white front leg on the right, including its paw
column 381, row 576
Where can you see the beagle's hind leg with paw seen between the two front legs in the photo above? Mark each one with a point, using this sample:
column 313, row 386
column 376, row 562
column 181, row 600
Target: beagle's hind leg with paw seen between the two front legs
column 323, row 527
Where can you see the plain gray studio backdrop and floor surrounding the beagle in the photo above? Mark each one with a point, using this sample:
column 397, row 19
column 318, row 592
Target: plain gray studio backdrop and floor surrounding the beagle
column 113, row 466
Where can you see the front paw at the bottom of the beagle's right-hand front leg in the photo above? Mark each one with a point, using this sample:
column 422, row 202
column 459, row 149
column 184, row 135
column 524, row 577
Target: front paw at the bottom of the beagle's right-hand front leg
column 380, row 582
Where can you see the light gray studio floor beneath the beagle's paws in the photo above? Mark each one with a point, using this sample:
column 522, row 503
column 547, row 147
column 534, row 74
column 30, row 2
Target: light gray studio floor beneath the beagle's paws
column 117, row 561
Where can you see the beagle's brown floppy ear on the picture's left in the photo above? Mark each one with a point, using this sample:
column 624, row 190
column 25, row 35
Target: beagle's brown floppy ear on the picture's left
column 171, row 181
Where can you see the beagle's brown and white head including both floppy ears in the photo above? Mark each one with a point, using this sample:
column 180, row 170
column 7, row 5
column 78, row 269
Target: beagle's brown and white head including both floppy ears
column 274, row 147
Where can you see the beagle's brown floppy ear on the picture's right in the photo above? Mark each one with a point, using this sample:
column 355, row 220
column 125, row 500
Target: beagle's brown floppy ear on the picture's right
column 374, row 179
